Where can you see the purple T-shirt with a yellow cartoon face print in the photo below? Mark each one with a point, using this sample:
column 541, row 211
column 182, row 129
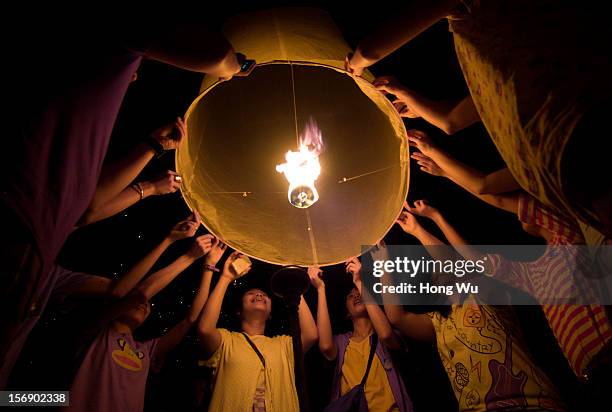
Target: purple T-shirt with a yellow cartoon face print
column 113, row 374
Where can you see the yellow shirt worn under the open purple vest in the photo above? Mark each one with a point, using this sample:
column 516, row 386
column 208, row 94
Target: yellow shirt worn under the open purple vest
column 377, row 389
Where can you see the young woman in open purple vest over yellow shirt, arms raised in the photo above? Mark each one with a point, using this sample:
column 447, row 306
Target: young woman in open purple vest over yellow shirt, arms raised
column 384, row 388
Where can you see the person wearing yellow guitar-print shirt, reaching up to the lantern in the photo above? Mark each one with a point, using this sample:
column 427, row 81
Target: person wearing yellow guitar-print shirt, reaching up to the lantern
column 480, row 347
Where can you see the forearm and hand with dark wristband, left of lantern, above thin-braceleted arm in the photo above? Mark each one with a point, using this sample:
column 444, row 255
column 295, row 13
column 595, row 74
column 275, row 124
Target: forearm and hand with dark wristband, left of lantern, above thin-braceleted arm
column 118, row 175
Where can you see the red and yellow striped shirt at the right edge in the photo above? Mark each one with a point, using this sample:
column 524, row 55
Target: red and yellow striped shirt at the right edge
column 581, row 330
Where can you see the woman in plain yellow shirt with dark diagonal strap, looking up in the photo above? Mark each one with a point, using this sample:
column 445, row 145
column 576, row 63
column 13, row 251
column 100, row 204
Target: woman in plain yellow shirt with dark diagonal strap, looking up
column 252, row 371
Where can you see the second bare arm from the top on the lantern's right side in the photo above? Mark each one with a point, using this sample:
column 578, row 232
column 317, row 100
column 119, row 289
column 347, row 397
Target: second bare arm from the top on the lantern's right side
column 450, row 116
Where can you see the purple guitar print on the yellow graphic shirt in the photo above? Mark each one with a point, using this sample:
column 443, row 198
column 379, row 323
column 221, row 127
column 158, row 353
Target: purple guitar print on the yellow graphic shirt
column 507, row 389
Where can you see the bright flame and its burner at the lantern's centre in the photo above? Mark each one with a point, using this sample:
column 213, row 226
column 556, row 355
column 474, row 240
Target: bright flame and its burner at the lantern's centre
column 302, row 168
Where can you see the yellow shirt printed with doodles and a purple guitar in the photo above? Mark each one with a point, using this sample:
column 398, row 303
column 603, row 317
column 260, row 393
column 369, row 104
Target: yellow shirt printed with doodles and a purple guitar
column 487, row 365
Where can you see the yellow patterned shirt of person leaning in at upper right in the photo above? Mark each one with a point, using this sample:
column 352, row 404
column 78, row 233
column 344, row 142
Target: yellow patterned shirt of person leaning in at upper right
column 531, row 85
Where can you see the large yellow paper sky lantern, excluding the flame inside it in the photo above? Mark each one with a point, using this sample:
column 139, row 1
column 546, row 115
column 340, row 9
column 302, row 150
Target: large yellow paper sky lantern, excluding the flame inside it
column 239, row 131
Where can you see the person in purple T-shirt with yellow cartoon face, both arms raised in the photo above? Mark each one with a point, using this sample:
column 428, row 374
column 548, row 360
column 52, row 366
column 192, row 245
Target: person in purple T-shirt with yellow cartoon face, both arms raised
column 113, row 373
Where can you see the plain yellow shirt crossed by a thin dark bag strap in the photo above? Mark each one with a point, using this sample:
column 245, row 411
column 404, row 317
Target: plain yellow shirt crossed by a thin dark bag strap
column 237, row 369
